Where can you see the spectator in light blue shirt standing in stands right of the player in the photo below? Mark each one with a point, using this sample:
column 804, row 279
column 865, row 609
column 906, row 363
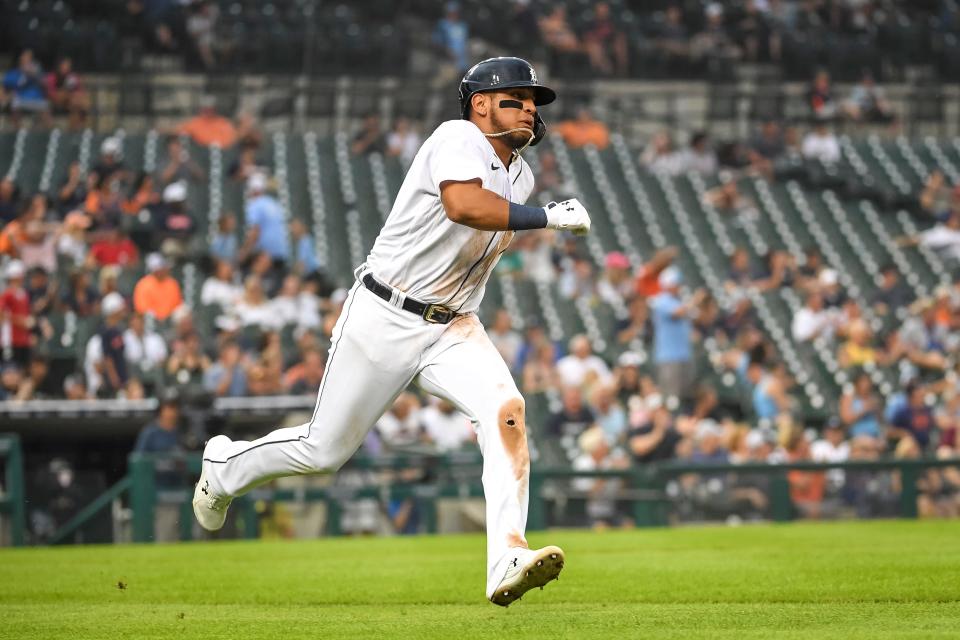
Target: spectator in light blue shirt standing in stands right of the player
column 672, row 335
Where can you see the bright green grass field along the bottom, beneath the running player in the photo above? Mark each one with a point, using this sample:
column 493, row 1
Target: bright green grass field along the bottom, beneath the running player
column 843, row 580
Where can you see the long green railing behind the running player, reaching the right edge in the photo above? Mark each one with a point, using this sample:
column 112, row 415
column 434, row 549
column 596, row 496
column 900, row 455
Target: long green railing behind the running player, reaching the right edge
column 646, row 488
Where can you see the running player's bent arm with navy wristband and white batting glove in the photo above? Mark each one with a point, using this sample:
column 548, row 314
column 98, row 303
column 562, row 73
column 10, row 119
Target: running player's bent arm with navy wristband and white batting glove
column 469, row 204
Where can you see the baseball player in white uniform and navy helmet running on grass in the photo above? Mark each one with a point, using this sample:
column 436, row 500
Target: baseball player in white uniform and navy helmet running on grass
column 411, row 317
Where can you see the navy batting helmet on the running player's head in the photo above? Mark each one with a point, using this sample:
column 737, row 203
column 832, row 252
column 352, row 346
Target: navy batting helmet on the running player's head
column 496, row 74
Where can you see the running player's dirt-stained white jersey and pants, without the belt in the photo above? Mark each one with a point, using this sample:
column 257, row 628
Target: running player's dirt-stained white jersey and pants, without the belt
column 378, row 348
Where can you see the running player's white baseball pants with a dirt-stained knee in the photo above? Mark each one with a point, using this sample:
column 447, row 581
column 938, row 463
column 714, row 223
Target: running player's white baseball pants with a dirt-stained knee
column 377, row 350
